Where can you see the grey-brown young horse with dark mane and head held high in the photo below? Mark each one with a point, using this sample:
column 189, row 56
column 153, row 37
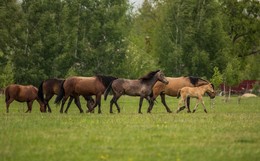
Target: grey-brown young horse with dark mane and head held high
column 141, row 87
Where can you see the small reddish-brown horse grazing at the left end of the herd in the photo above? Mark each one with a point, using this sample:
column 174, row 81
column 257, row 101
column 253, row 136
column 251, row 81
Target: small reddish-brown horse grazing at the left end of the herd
column 22, row 93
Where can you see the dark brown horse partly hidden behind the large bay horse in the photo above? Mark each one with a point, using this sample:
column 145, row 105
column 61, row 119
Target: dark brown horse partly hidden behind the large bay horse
column 51, row 87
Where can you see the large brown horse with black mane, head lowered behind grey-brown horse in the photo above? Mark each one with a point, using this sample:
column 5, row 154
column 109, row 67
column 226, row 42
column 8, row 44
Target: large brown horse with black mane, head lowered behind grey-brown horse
column 86, row 86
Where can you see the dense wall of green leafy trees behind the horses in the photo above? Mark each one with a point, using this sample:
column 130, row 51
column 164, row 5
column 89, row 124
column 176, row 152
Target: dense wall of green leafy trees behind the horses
column 215, row 39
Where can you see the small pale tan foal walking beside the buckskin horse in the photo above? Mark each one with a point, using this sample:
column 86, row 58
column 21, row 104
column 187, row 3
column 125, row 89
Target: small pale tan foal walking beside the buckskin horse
column 195, row 92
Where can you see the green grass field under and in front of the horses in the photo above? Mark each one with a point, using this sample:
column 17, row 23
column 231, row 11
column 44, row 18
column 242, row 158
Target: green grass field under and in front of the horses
column 229, row 131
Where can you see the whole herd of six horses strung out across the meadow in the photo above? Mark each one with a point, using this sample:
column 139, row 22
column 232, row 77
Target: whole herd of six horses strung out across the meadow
column 148, row 87
